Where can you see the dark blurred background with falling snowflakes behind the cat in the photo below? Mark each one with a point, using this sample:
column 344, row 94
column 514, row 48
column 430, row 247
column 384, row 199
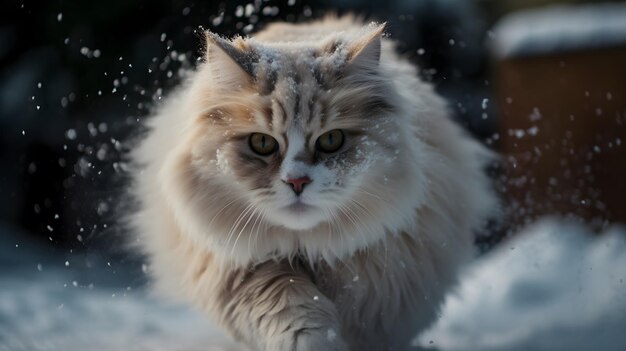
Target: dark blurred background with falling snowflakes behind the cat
column 541, row 82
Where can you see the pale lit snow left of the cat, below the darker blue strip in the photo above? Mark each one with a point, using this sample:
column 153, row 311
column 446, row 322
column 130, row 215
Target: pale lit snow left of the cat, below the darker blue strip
column 46, row 315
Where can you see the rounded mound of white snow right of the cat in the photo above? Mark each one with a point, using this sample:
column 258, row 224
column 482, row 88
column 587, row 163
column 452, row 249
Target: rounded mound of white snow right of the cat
column 553, row 287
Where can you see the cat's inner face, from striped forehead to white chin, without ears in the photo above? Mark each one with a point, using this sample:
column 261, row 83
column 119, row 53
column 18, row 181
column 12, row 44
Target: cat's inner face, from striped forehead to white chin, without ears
column 301, row 164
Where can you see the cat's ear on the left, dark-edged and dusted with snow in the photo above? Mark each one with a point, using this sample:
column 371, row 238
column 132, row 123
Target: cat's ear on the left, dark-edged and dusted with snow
column 231, row 61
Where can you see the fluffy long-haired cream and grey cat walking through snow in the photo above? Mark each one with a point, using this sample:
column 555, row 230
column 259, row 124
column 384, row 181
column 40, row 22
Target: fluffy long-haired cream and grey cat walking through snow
column 308, row 191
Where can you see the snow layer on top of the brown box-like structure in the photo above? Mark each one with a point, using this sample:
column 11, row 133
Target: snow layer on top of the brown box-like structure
column 560, row 28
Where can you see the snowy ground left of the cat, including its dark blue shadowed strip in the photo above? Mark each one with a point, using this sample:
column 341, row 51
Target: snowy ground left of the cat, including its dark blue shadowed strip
column 53, row 302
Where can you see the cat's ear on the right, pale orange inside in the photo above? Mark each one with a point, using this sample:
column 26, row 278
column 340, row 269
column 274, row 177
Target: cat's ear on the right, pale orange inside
column 364, row 52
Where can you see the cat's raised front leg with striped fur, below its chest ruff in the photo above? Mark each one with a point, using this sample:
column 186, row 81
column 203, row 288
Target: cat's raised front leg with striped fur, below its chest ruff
column 277, row 307
